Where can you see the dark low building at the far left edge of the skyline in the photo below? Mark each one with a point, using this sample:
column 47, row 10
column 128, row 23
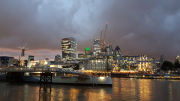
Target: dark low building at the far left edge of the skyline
column 6, row 61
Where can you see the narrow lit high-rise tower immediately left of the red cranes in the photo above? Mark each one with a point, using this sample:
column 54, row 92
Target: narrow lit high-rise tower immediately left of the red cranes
column 96, row 46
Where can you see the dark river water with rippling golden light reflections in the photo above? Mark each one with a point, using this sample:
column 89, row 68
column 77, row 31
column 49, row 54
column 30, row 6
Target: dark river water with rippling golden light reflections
column 122, row 90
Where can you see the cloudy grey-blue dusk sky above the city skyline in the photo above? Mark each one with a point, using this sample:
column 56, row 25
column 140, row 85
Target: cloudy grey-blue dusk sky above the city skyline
column 139, row 27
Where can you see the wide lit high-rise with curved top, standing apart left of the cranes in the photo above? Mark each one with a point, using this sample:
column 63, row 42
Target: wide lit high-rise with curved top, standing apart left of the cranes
column 69, row 48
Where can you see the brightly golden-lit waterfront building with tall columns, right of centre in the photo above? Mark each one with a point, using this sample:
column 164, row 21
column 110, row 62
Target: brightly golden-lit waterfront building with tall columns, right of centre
column 145, row 63
